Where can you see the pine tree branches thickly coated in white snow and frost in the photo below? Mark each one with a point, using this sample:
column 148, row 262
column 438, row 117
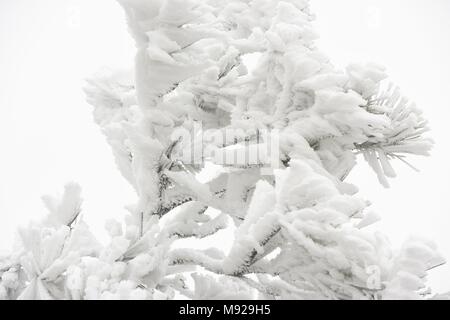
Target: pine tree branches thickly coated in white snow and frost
column 299, row 228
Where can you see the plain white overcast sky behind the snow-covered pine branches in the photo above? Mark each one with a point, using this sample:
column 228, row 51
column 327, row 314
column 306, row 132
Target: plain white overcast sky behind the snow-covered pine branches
column 47, row 135
